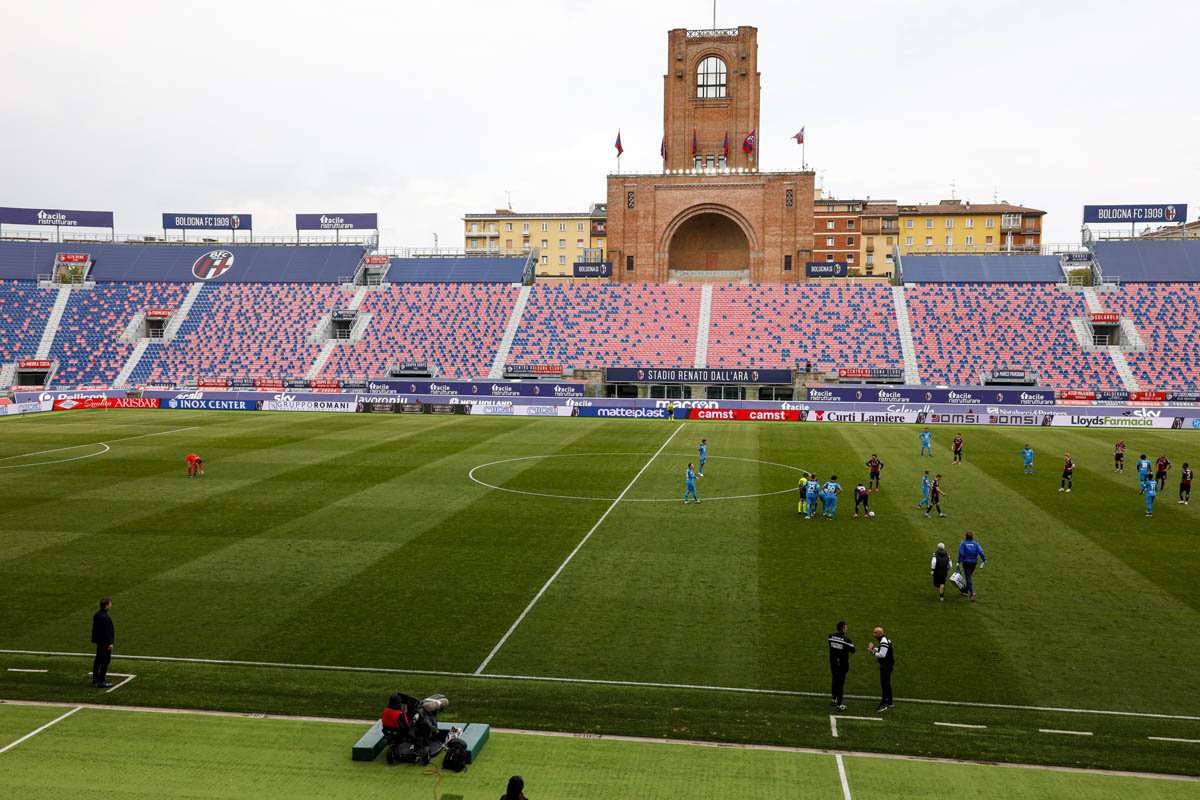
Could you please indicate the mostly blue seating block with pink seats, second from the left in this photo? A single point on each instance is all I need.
(87, 340)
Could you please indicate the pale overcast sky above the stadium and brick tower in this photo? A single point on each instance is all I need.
(424, 112)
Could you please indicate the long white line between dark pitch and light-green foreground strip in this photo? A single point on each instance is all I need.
(647, 741)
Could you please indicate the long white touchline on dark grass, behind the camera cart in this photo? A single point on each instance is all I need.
(599, 682)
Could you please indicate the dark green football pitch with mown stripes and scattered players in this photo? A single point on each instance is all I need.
(545, 575)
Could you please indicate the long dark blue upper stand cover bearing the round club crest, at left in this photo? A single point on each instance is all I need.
(173, 263)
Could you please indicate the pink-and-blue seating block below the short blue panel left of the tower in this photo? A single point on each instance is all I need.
(457, 327)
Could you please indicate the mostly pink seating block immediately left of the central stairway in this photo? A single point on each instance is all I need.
(589, 327)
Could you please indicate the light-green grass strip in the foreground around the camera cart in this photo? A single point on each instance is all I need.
(169, 755)
